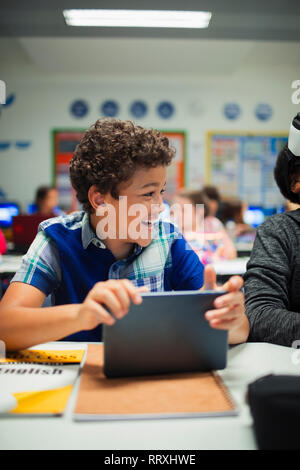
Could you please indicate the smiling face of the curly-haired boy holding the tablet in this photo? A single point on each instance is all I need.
(131, 218)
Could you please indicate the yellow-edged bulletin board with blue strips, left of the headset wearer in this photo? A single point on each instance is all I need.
(242, 164)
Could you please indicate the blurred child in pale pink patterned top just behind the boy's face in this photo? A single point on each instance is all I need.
(204, 232)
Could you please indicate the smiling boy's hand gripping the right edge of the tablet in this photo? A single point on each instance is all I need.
(230, 307)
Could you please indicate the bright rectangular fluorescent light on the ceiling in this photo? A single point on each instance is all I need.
(138, 18)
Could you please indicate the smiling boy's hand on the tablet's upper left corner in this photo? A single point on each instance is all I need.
(113, 295)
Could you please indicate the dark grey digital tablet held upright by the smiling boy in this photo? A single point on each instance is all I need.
(166, 333)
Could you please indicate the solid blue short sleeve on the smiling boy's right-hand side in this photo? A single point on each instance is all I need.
(187, 271)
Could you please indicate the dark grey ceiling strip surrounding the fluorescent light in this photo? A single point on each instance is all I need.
(231, 19)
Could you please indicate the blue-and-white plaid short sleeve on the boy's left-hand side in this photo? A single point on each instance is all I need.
(40, 266)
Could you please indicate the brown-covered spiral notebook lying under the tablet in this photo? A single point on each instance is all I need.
(158, 396)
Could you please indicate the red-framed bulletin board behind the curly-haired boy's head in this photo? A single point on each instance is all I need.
(64, 143)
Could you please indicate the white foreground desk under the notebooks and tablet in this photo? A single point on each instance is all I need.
(246, 362)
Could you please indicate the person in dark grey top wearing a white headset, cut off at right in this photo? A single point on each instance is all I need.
(272, 280)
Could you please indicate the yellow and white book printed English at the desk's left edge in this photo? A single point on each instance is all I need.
(38, 381)
